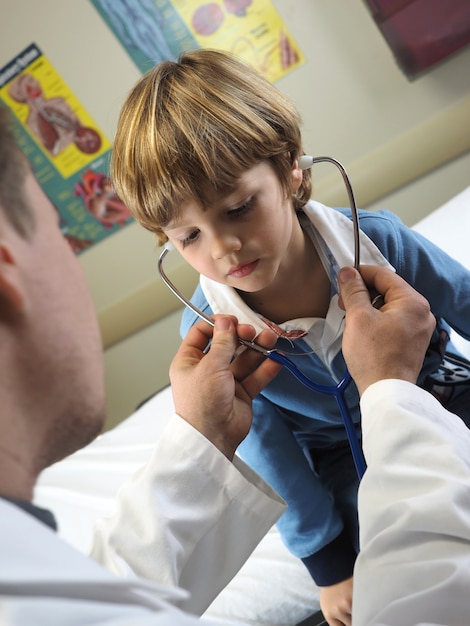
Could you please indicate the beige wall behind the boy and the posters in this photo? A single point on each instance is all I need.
(353, 98)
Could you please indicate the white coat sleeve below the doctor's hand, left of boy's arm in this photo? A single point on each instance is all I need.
(189, 518)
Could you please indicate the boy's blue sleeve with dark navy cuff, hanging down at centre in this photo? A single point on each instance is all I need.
(311, 527)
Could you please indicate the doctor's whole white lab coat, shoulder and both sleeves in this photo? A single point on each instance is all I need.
(193, 525)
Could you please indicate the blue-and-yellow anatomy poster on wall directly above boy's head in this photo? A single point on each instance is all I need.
(154, 30)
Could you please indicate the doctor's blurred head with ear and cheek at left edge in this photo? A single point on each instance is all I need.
(51, 370)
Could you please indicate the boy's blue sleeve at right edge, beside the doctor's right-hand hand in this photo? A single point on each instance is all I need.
(442, 280)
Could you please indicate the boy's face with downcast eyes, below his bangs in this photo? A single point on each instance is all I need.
(244, 239)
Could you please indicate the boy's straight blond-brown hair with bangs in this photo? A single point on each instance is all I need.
(194, 126)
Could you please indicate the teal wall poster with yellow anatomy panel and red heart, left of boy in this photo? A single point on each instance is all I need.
(68, 152)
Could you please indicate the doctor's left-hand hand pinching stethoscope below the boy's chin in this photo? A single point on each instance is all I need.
(211, 390)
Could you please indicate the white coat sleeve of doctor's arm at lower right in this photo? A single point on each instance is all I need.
(414, 511)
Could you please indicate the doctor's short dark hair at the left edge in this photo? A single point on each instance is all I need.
(13, 170)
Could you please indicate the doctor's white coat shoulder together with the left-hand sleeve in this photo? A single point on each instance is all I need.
(189, 519)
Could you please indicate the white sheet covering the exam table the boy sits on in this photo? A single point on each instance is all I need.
(273, 588)
